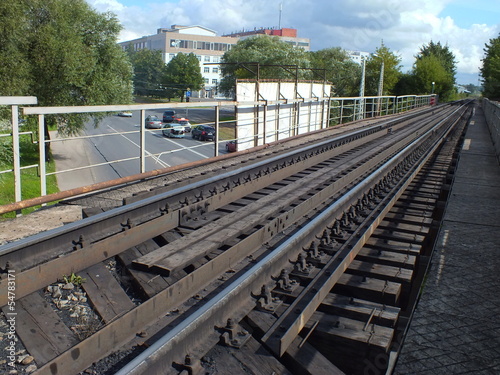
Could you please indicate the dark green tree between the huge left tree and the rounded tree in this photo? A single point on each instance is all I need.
(149, 70)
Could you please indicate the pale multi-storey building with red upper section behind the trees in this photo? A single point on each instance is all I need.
(207, 46)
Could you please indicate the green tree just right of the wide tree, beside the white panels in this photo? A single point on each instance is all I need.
(339, 68)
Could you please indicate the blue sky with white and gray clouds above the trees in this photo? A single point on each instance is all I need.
(404, 26)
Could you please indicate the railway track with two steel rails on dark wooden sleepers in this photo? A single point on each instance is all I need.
(302, 260)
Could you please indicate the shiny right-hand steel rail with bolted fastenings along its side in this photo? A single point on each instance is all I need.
(172, 347)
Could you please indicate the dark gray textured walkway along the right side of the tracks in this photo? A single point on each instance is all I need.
(456, 326)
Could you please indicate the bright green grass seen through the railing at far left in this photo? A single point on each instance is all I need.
(30, 179)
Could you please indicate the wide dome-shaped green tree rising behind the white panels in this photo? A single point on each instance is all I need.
(263, 56)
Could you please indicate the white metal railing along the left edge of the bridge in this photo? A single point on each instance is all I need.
(341, 110)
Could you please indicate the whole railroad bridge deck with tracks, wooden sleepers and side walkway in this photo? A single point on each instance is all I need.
(366, 248)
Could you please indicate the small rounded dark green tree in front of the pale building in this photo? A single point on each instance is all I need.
(183, 73)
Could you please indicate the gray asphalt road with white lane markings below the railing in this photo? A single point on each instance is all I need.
(118, 138)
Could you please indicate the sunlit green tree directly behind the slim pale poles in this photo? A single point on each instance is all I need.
(391, 71)
